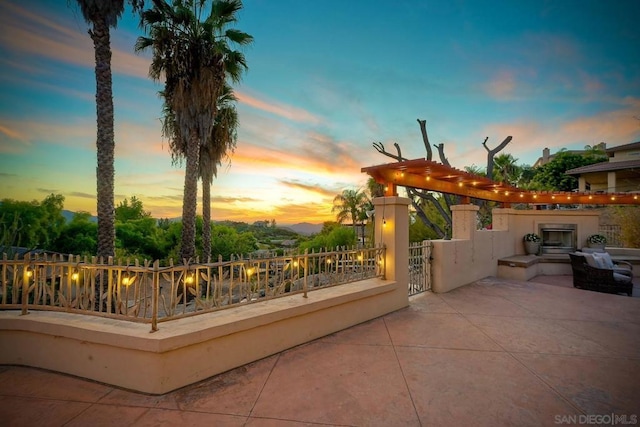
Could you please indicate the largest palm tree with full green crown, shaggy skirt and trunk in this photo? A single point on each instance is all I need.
(194, 56)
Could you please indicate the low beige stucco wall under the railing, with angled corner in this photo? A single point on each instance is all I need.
(185, 351)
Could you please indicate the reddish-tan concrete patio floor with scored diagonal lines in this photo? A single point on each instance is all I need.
(494, 352)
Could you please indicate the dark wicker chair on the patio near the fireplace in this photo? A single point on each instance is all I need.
(598, 279)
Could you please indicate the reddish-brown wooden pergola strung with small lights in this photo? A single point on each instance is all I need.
(434, 176)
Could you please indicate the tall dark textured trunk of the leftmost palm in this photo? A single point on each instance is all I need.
(105, 140)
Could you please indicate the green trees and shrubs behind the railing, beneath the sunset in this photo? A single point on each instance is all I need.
(42, 225)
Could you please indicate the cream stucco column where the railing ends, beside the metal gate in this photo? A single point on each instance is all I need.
(392, 230)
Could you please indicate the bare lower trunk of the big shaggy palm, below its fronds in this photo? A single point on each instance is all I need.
(190, 198)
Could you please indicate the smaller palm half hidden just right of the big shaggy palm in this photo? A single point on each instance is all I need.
(223, 140)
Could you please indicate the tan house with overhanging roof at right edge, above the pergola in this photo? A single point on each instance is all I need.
(620, 174)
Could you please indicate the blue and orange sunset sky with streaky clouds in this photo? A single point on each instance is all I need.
(326, 79)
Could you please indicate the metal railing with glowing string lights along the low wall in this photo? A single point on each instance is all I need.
(149, 293)
